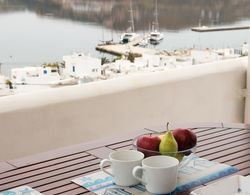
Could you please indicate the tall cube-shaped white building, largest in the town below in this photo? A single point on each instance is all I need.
(82, 66)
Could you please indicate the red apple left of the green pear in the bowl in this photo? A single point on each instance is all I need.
(148, 143)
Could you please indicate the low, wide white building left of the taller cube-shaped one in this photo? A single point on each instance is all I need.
(35, 75)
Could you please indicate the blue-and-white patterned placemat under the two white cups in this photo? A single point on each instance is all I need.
(196, 172)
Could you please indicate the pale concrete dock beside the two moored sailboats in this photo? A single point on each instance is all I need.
(124, 49)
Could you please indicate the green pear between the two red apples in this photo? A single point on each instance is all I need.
(168, 145)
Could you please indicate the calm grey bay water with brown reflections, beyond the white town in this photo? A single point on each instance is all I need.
(37, 32)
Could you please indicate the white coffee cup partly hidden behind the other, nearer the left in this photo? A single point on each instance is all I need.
(122, 163)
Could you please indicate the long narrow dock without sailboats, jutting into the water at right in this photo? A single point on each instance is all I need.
(211, 29)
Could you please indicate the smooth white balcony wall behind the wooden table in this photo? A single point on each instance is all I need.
(41, 121)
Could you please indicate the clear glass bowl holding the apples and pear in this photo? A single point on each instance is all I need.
(180, 155)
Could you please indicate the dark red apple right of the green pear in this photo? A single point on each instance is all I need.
(185, 138)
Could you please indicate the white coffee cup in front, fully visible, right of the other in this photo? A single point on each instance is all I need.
(159, 174)
